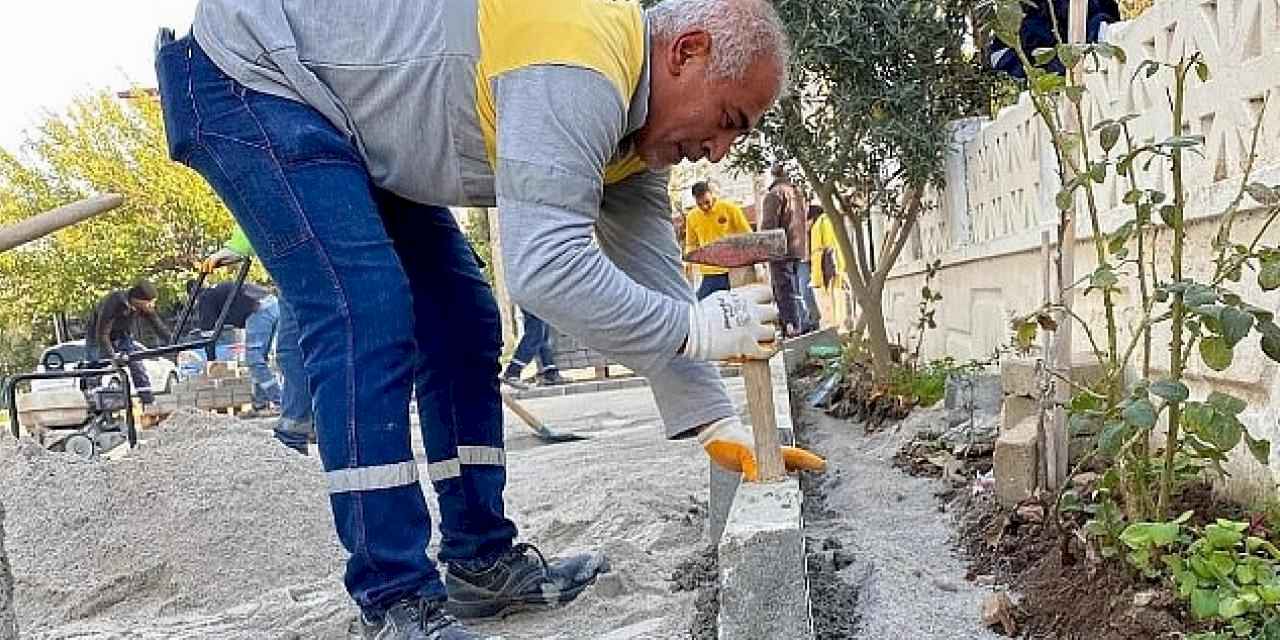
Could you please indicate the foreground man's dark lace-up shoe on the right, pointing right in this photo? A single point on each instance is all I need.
(522, 579)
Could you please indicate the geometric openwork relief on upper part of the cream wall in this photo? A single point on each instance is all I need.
(1007, 170)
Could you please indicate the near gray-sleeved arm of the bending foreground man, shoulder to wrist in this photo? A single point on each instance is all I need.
(557, 129)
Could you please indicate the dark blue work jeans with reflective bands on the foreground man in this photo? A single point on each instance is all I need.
(390, 300)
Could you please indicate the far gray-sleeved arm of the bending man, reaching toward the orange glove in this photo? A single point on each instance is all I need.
(634, 231)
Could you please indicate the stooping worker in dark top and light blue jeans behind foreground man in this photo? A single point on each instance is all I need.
(258, 312)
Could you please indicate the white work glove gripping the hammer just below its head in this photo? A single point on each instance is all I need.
(733, 324)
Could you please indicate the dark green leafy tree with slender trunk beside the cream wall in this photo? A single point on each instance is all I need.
(874, 86)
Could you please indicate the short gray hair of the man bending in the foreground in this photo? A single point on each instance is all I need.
(743, 31)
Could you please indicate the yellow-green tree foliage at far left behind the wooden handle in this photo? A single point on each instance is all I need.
(102, 144)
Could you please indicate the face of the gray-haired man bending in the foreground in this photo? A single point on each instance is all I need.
(692, 117)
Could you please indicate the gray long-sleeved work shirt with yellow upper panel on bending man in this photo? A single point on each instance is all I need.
(483, 103)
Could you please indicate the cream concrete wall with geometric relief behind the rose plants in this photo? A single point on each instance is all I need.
(986, 226)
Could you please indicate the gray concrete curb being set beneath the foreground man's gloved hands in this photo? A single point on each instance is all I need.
(760, 536)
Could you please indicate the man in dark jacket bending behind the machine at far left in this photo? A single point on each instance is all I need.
(112, 328)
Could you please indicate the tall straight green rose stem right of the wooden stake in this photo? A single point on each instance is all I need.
(1177, 363)
